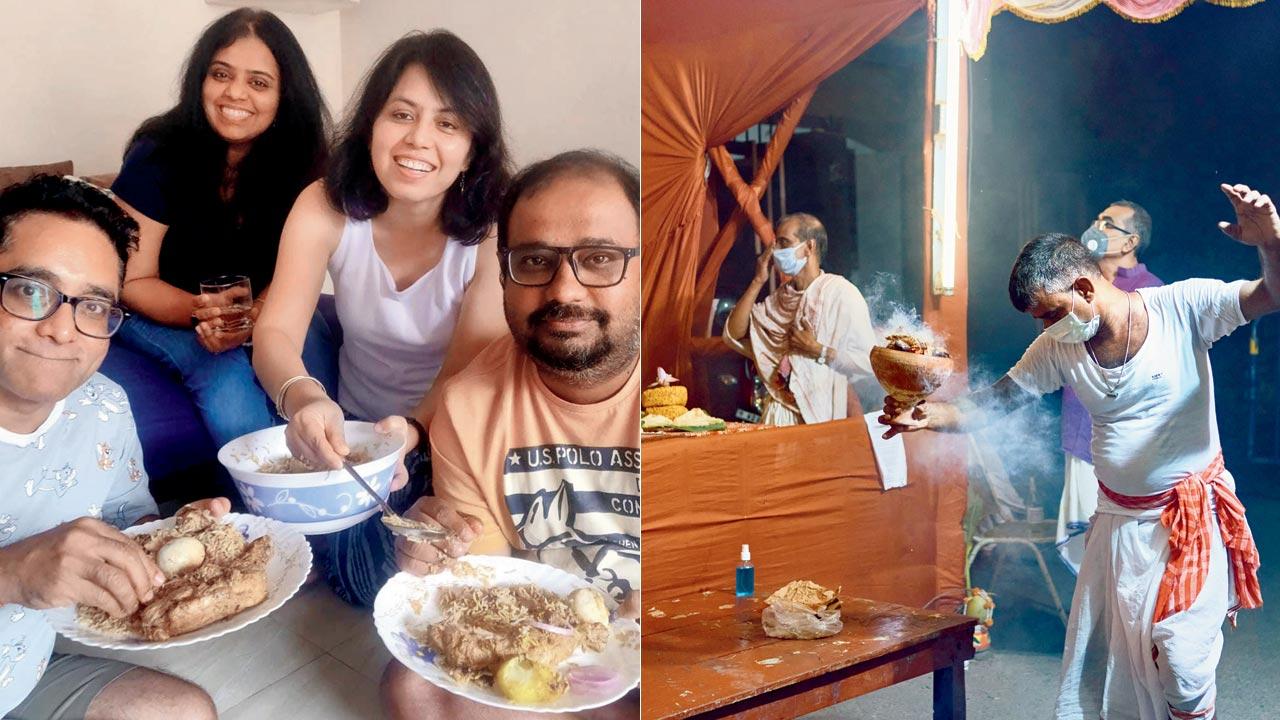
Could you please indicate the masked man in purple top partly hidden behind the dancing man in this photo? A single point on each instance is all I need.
(1114, 240)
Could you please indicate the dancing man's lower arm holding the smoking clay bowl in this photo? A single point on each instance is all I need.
(966, 414)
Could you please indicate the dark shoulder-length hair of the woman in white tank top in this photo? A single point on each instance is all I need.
(464, 83)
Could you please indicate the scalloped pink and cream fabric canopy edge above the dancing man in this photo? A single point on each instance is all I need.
(979, 13)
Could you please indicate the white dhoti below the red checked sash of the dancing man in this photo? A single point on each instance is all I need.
(1108, 666)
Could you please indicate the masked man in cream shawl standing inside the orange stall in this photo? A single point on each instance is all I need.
(812, 338)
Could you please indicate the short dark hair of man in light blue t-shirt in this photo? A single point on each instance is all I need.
(71, 199)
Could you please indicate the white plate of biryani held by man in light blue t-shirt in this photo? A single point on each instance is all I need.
(223, 575)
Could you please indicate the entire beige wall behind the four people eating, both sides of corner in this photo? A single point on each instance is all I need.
(79, 76)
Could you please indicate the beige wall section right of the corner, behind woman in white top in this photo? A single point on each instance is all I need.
(568, 71)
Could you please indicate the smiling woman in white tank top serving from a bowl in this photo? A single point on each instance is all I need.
(403, 222)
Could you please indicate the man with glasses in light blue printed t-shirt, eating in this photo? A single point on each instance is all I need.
(72, 470)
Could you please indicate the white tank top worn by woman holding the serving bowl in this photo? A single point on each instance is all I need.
(394, 341)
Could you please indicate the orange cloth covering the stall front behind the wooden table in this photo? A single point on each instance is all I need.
(810, 502)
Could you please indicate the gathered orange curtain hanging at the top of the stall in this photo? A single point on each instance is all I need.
(711, 70)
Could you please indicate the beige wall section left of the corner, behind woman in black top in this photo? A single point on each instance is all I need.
(77, 78)
